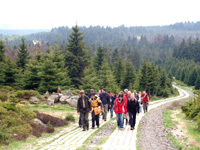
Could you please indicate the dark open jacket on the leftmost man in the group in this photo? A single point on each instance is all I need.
(80, 105)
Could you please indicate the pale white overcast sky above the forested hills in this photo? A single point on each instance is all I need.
(45, 14)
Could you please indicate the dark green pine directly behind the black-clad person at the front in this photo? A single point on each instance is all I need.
(129, 76)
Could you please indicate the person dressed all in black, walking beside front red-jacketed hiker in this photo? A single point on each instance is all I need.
(133, 109)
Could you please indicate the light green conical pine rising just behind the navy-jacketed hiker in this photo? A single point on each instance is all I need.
(106, 78)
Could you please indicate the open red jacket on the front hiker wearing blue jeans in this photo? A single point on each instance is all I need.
(120, 107)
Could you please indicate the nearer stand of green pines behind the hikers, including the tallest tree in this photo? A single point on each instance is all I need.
(73, 66)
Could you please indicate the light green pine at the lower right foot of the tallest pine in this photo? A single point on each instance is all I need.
(90, 79)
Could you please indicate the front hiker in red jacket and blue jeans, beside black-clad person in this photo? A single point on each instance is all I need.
(120, 109)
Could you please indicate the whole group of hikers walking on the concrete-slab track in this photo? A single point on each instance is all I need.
(126, 106)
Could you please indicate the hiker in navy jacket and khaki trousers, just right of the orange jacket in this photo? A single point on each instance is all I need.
(105, 98)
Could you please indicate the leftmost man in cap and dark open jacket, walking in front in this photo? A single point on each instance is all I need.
(83, 109)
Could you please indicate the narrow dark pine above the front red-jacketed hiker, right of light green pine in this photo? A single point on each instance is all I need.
(118, 70)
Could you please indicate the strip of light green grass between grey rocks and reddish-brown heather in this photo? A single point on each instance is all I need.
(42, 107)
